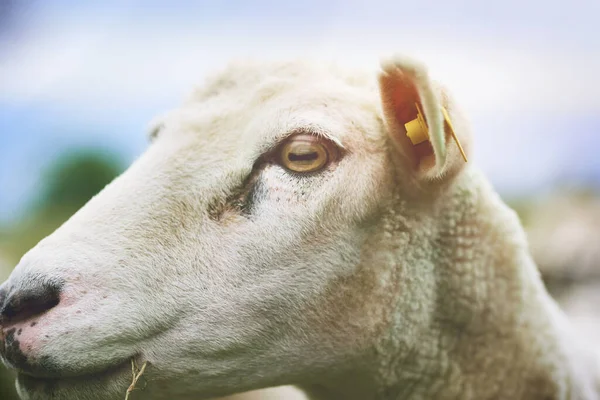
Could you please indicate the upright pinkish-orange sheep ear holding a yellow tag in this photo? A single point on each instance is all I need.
(417, 120)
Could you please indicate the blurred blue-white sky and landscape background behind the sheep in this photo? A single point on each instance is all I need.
(79, 81)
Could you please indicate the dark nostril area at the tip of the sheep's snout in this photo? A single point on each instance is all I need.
(31, 301)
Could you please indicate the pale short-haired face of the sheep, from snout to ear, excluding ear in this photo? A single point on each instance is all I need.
(244, 249)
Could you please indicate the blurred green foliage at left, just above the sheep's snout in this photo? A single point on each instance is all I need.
(68, 183)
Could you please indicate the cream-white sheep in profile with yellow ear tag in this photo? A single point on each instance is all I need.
(284, 229)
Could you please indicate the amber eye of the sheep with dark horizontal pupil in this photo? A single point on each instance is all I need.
(304, 153)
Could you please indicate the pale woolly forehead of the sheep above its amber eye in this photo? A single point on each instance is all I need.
(249, 107)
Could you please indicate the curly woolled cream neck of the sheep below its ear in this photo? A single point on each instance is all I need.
(479, 324)
